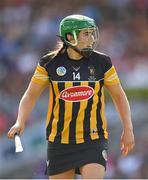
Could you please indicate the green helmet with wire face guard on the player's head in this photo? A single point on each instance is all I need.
(73, 25)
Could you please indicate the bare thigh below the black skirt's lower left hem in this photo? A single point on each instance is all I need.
(64, 175)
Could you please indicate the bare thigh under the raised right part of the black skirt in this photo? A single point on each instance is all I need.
(92, 171)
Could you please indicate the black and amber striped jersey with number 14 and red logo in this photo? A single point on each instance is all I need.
(76, 111)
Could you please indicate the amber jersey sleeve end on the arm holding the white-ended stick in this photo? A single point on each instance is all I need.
(40, 76)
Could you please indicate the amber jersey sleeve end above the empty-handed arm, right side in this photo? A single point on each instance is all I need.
(111, 77)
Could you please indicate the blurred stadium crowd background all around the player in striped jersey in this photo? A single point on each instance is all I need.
(28, 30)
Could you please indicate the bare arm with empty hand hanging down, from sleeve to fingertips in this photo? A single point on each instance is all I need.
(122, 106)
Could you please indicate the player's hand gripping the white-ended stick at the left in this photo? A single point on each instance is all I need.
(16, 128)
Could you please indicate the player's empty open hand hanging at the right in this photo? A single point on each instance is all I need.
(127, 141)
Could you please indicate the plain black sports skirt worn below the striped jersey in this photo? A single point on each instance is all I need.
(63, 157)
